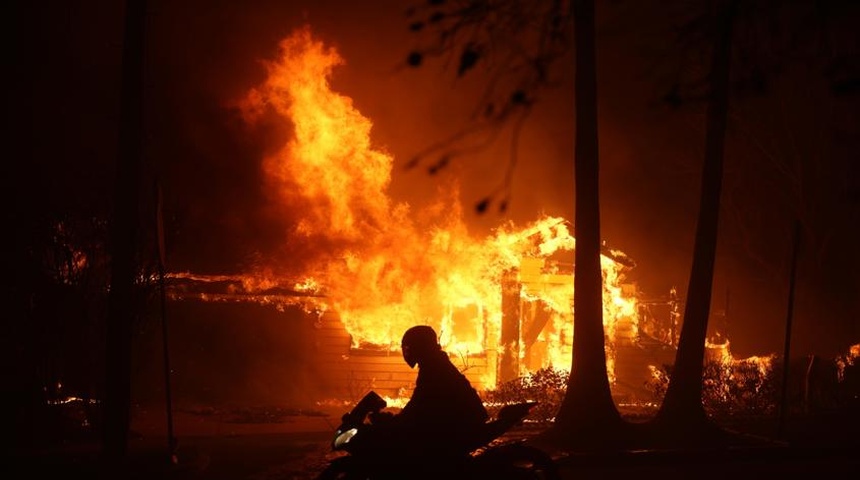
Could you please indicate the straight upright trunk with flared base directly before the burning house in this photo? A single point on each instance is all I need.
(587, 417)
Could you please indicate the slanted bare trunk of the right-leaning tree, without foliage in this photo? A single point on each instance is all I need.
(682, 412)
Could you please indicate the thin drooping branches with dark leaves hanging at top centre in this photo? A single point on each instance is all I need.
(516, 43)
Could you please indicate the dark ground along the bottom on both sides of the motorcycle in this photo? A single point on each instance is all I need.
(298, 448)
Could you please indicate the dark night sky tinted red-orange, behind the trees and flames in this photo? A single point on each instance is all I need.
(202, 57)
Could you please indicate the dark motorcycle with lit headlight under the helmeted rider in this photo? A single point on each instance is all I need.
(488, 457)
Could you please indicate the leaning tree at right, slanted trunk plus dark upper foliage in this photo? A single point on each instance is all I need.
(735, 29)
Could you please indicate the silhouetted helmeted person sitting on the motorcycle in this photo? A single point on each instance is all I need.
(445, 418)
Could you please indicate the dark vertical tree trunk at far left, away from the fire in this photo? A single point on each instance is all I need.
(124, 240)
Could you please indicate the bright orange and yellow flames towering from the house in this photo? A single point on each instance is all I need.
(383, 266)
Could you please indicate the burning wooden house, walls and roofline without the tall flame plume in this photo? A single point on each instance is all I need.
(527, 326)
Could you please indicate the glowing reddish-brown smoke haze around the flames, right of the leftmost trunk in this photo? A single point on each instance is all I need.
(650, 154)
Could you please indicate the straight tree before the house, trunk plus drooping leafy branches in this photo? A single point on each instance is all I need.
(588, 417)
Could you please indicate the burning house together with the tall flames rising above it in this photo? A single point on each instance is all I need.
(369, 268)
